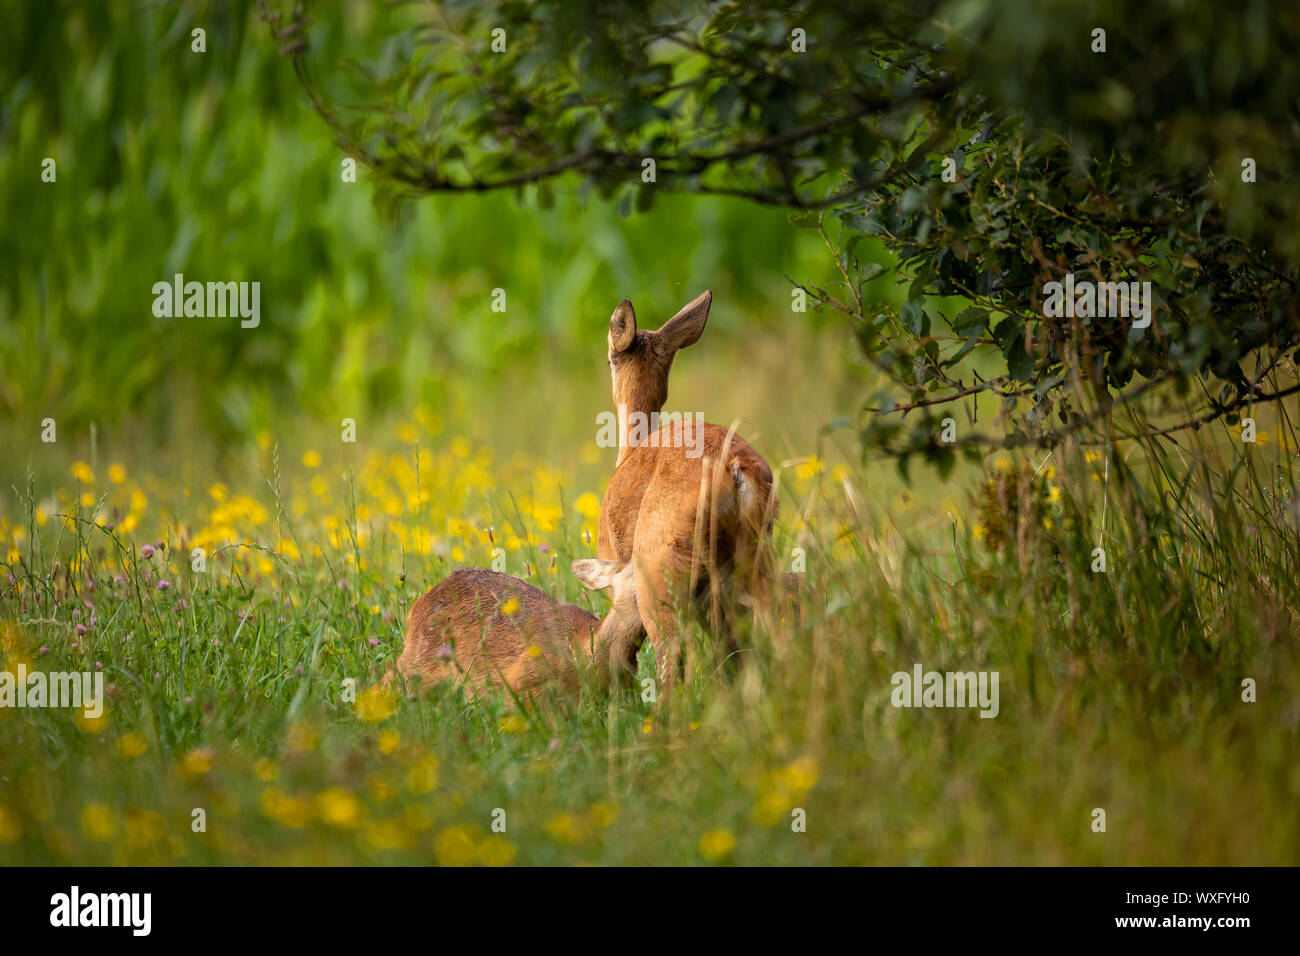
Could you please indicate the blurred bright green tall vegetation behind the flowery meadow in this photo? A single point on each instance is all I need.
(214, 166)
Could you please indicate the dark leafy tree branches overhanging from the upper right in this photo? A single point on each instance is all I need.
(1113, 158)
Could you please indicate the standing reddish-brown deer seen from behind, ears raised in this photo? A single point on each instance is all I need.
(692, 522)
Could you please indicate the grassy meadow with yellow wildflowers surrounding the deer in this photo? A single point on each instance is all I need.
(1120, 691)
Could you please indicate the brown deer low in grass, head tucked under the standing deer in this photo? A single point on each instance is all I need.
(488, 630)
